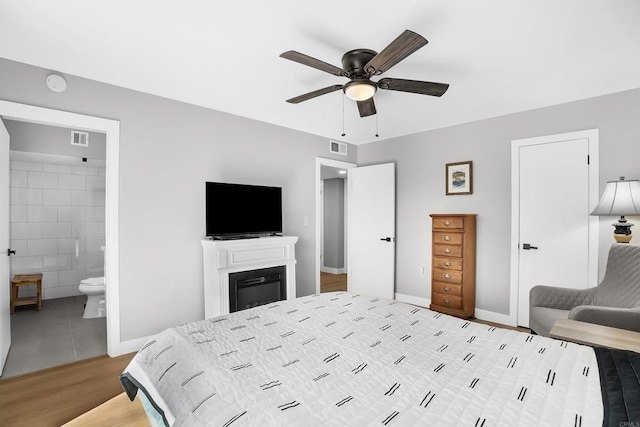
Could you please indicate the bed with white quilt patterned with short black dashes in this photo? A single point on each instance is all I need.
(343, 359)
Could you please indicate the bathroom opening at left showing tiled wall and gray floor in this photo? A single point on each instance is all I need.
(57, 227)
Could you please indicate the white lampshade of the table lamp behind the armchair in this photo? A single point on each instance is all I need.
(619, 198)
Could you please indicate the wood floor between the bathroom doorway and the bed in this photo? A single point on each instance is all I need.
(54, 396)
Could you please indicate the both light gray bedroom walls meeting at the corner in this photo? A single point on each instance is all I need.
(168, 149)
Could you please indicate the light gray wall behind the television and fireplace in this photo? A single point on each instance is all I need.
(168, 149)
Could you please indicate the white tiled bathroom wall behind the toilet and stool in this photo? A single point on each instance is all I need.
(57, 208)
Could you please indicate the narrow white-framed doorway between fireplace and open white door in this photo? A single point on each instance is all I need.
(331, 241)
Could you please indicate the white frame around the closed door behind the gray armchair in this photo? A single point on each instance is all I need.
(593, 136)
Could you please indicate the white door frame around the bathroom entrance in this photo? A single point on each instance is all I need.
(50, 117)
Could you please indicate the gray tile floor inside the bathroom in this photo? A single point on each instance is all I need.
(54, 336)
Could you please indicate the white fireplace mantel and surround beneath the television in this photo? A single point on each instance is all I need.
(221, 257)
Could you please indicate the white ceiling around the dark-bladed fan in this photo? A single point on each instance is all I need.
(499, 56)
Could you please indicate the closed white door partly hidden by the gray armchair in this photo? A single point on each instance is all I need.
(554, 203)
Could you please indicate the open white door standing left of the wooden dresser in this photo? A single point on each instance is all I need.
(371, 230)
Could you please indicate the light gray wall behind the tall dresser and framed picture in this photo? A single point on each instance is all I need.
(421, 159)
